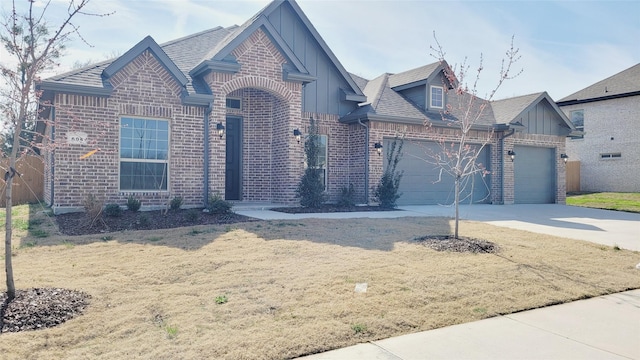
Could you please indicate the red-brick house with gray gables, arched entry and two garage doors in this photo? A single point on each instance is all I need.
(217, 112)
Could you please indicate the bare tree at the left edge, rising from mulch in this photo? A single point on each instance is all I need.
(33, 46)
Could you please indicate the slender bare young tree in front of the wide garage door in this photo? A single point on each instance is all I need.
(458, 158)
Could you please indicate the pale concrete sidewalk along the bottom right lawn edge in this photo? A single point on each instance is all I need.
(604, 327)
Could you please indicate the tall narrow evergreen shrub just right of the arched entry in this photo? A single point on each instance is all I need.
(310, 189)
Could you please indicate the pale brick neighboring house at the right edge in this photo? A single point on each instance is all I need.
(609, 114)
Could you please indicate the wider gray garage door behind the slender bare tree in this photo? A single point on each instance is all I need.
(419, 184)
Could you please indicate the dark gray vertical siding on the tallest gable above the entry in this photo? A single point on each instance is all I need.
(322, 95)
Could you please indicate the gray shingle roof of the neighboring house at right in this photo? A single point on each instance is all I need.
(626, 81)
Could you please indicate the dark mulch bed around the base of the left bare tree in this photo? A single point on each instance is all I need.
(40, 308)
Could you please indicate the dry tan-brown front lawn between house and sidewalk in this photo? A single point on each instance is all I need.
(289, 286)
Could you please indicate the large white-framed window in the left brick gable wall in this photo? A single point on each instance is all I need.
(144, 154)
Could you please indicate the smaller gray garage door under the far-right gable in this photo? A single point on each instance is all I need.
(535, 175)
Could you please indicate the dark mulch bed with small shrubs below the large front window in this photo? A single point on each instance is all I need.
(80, 224)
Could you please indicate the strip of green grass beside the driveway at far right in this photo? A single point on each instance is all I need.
(629, 202)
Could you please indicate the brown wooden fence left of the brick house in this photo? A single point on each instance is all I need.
(27, 188)
